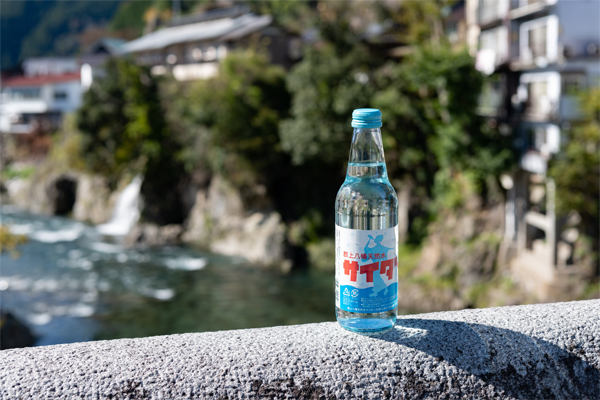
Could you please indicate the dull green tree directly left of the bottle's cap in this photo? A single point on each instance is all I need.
(325, 93)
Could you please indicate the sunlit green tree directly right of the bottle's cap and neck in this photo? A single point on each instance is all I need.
(430, 126)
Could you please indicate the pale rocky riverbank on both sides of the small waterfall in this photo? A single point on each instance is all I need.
(218, 221)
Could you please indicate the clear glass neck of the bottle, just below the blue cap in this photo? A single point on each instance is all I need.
(366, 154)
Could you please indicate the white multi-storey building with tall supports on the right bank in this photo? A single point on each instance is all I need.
(538, 53)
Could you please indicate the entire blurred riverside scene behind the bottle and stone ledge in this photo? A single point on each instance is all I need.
(171, 166)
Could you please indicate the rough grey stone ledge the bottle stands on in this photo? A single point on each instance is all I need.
(524, 352)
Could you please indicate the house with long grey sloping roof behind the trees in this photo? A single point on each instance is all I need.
(192, 46)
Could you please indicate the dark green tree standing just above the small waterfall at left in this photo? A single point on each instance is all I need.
(124, 132)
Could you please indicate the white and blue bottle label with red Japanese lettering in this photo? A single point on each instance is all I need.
(366, 269)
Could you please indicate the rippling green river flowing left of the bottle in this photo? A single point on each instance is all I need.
(71, 283)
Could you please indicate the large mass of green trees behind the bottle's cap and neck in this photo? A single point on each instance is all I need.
(432, 137)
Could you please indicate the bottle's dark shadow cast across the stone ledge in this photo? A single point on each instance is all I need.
(521, 366)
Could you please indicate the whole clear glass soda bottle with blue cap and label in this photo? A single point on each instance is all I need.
(366, 270)
